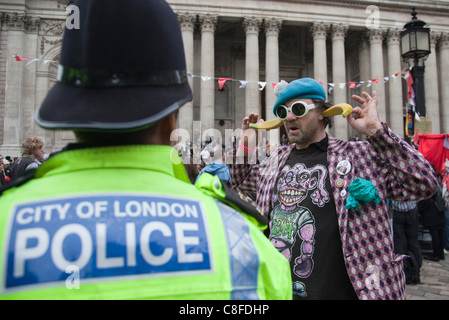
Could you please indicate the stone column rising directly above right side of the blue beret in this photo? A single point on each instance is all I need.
(319, 31)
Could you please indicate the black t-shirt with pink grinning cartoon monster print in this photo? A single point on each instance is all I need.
(304, 227)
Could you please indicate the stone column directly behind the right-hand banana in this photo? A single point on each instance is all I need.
(340, 125)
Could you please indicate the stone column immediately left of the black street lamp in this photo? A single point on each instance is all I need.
(395, 112)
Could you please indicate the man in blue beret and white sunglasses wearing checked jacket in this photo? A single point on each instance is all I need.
(326, 198)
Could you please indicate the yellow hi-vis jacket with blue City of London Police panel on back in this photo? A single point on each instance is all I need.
(125, 223)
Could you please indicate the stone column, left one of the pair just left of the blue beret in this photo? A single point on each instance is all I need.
(252, 99)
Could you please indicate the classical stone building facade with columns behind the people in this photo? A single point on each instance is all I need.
(236, 50)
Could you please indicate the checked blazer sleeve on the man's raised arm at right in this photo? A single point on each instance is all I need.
(409, 175)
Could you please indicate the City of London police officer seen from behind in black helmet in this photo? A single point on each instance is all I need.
(114, 215)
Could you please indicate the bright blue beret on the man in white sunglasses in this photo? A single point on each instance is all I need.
(305, 88)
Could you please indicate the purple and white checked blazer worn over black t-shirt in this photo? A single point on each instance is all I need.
(397, 170)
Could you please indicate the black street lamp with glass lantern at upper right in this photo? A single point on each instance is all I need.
(415, 45)
